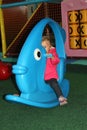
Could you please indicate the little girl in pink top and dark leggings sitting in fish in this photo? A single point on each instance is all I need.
(51, 75)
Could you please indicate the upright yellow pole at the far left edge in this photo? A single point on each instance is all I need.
(2, 29)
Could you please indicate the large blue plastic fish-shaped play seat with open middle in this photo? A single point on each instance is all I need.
(29, 70)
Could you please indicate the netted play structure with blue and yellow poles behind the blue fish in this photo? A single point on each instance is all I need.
(29, 15)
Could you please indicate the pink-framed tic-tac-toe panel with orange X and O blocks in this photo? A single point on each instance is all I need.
(74, 21)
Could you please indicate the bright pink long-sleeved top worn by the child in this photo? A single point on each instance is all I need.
(51, 65)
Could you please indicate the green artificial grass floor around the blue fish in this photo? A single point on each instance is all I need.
(73, 116)
